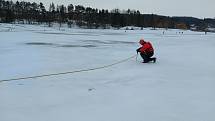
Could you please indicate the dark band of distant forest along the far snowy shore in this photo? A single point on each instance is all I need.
(34, 13)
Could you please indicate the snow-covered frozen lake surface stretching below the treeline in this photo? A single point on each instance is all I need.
(179, 87)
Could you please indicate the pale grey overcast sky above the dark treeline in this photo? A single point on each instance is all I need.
(195, 8)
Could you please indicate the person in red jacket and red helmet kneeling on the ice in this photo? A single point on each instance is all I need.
(146, 51)
